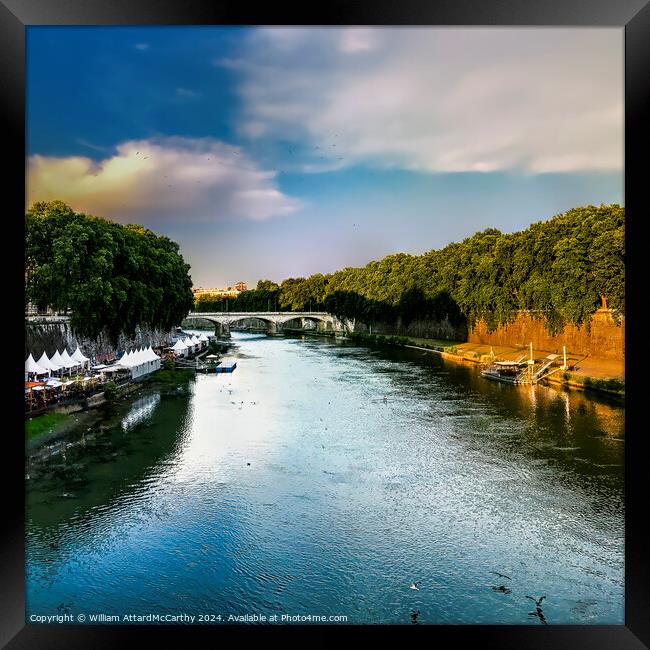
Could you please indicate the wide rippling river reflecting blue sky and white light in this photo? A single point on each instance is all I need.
(291, 486)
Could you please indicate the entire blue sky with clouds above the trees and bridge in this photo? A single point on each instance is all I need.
(278, 152)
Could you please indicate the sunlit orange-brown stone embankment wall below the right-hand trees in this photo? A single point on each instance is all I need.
(606, 338)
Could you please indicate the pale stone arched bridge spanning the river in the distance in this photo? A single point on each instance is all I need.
(276, 320)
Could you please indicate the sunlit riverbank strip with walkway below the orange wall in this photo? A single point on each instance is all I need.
(585, 373)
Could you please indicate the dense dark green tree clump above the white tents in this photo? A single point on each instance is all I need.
(113, 278)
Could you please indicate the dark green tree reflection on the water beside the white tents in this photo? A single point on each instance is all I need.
(101, 469)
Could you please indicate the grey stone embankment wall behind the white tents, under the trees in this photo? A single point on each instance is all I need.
(50, 337)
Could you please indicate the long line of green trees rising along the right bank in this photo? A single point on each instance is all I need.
(561, 270)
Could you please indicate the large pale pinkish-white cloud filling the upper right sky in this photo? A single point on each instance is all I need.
(440, 99)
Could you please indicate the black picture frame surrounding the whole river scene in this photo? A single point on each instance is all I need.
(631, 15)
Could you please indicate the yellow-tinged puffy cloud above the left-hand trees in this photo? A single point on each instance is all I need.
(162, 180)
